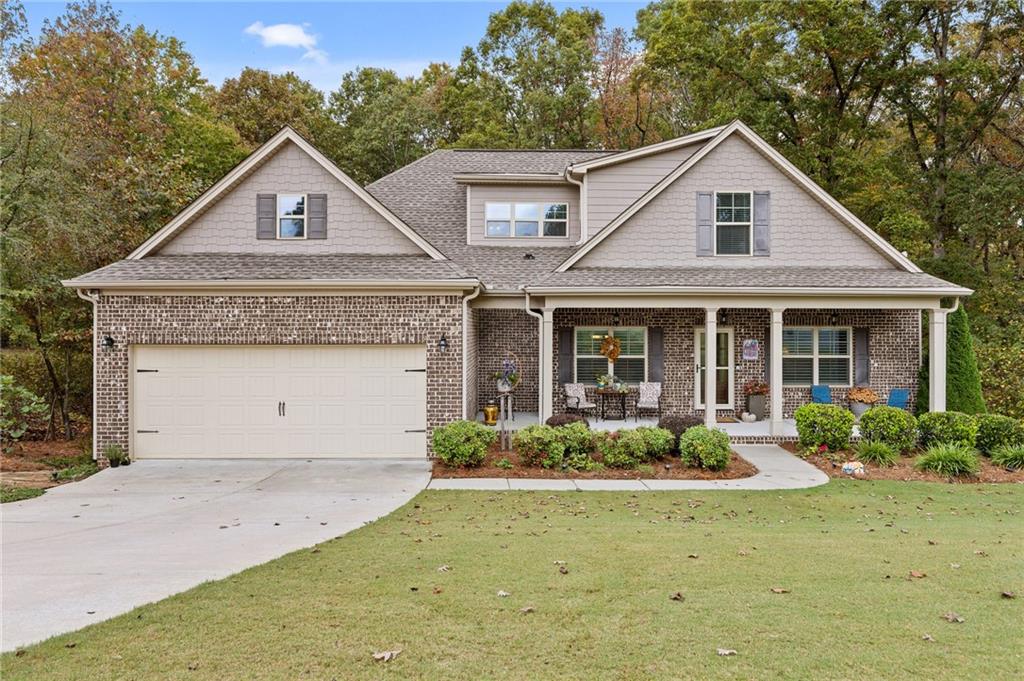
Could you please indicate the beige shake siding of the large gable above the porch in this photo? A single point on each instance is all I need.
(663, 234)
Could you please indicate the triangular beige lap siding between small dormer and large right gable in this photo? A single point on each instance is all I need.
(613, 190)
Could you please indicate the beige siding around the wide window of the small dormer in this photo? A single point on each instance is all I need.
(482, 194)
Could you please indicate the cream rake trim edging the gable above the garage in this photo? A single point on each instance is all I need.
(286, 135)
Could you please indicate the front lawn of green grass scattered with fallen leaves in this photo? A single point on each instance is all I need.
(844, 551)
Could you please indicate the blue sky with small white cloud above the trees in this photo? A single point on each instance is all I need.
(321, 41)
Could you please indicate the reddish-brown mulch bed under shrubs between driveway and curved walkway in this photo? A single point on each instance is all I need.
(665, 470)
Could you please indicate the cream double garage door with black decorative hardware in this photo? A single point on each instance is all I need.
(223, 402)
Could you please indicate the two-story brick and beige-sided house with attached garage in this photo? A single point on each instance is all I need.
(290, 313)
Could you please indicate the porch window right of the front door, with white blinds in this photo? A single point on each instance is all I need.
(818, 357)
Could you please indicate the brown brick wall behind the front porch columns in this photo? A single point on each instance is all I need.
(893, 351)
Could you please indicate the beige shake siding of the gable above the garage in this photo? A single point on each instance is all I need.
(230, 226)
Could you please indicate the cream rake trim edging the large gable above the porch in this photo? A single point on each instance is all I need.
(770, 152)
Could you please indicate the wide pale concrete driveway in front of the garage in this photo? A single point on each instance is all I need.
(86, 552)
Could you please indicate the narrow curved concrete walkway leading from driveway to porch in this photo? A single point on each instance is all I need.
(778, 470)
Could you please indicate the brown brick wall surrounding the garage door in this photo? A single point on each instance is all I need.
(276, 321)
